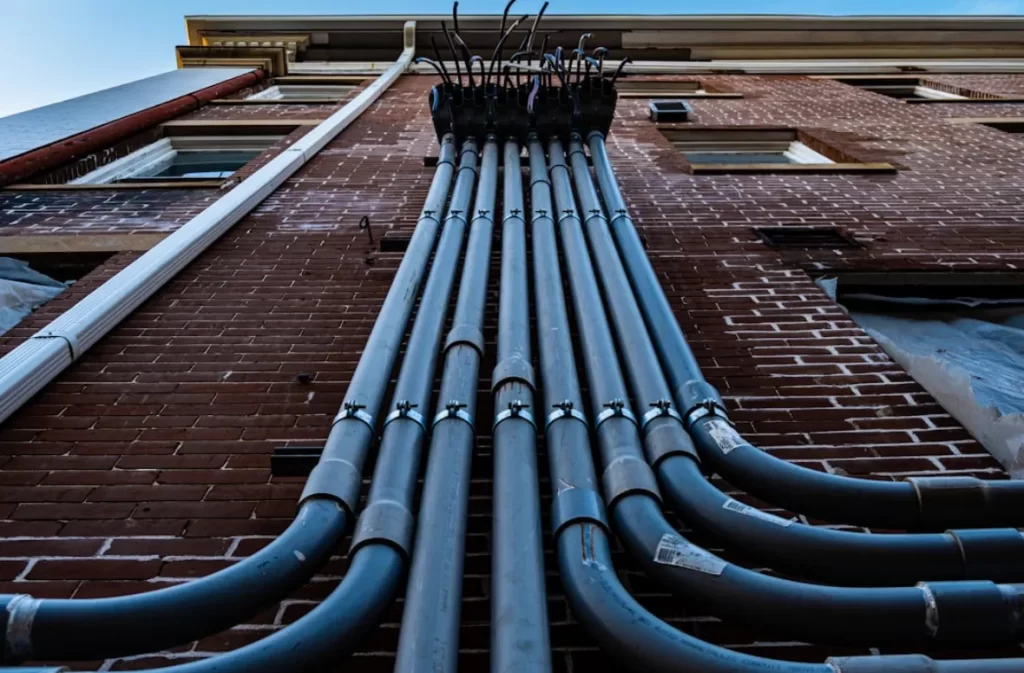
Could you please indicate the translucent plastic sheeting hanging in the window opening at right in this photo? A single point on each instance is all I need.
(968, 353)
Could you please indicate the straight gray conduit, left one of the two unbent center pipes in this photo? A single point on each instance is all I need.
(430, 639)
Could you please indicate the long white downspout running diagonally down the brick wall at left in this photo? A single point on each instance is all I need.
(27, 369)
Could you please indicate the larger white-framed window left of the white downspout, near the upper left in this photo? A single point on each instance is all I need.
(183, 159)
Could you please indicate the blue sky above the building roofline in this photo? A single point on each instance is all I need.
(57, 50)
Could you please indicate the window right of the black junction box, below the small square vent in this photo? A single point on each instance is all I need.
(758, 151)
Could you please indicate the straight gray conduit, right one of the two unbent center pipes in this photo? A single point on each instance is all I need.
(520, 642)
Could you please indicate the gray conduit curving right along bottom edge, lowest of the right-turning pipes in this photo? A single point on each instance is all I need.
(641, 641)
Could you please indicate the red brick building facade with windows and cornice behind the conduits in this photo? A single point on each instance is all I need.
(823, 174)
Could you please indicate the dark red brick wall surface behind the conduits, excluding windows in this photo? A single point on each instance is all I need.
(148, 464)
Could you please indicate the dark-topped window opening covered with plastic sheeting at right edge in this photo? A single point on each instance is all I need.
(961, 336)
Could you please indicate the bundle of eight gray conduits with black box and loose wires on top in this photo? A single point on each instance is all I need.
(650, 418)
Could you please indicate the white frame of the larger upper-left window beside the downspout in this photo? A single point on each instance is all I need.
(157, 156)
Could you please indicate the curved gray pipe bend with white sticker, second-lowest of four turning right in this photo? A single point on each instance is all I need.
(951, 613)
